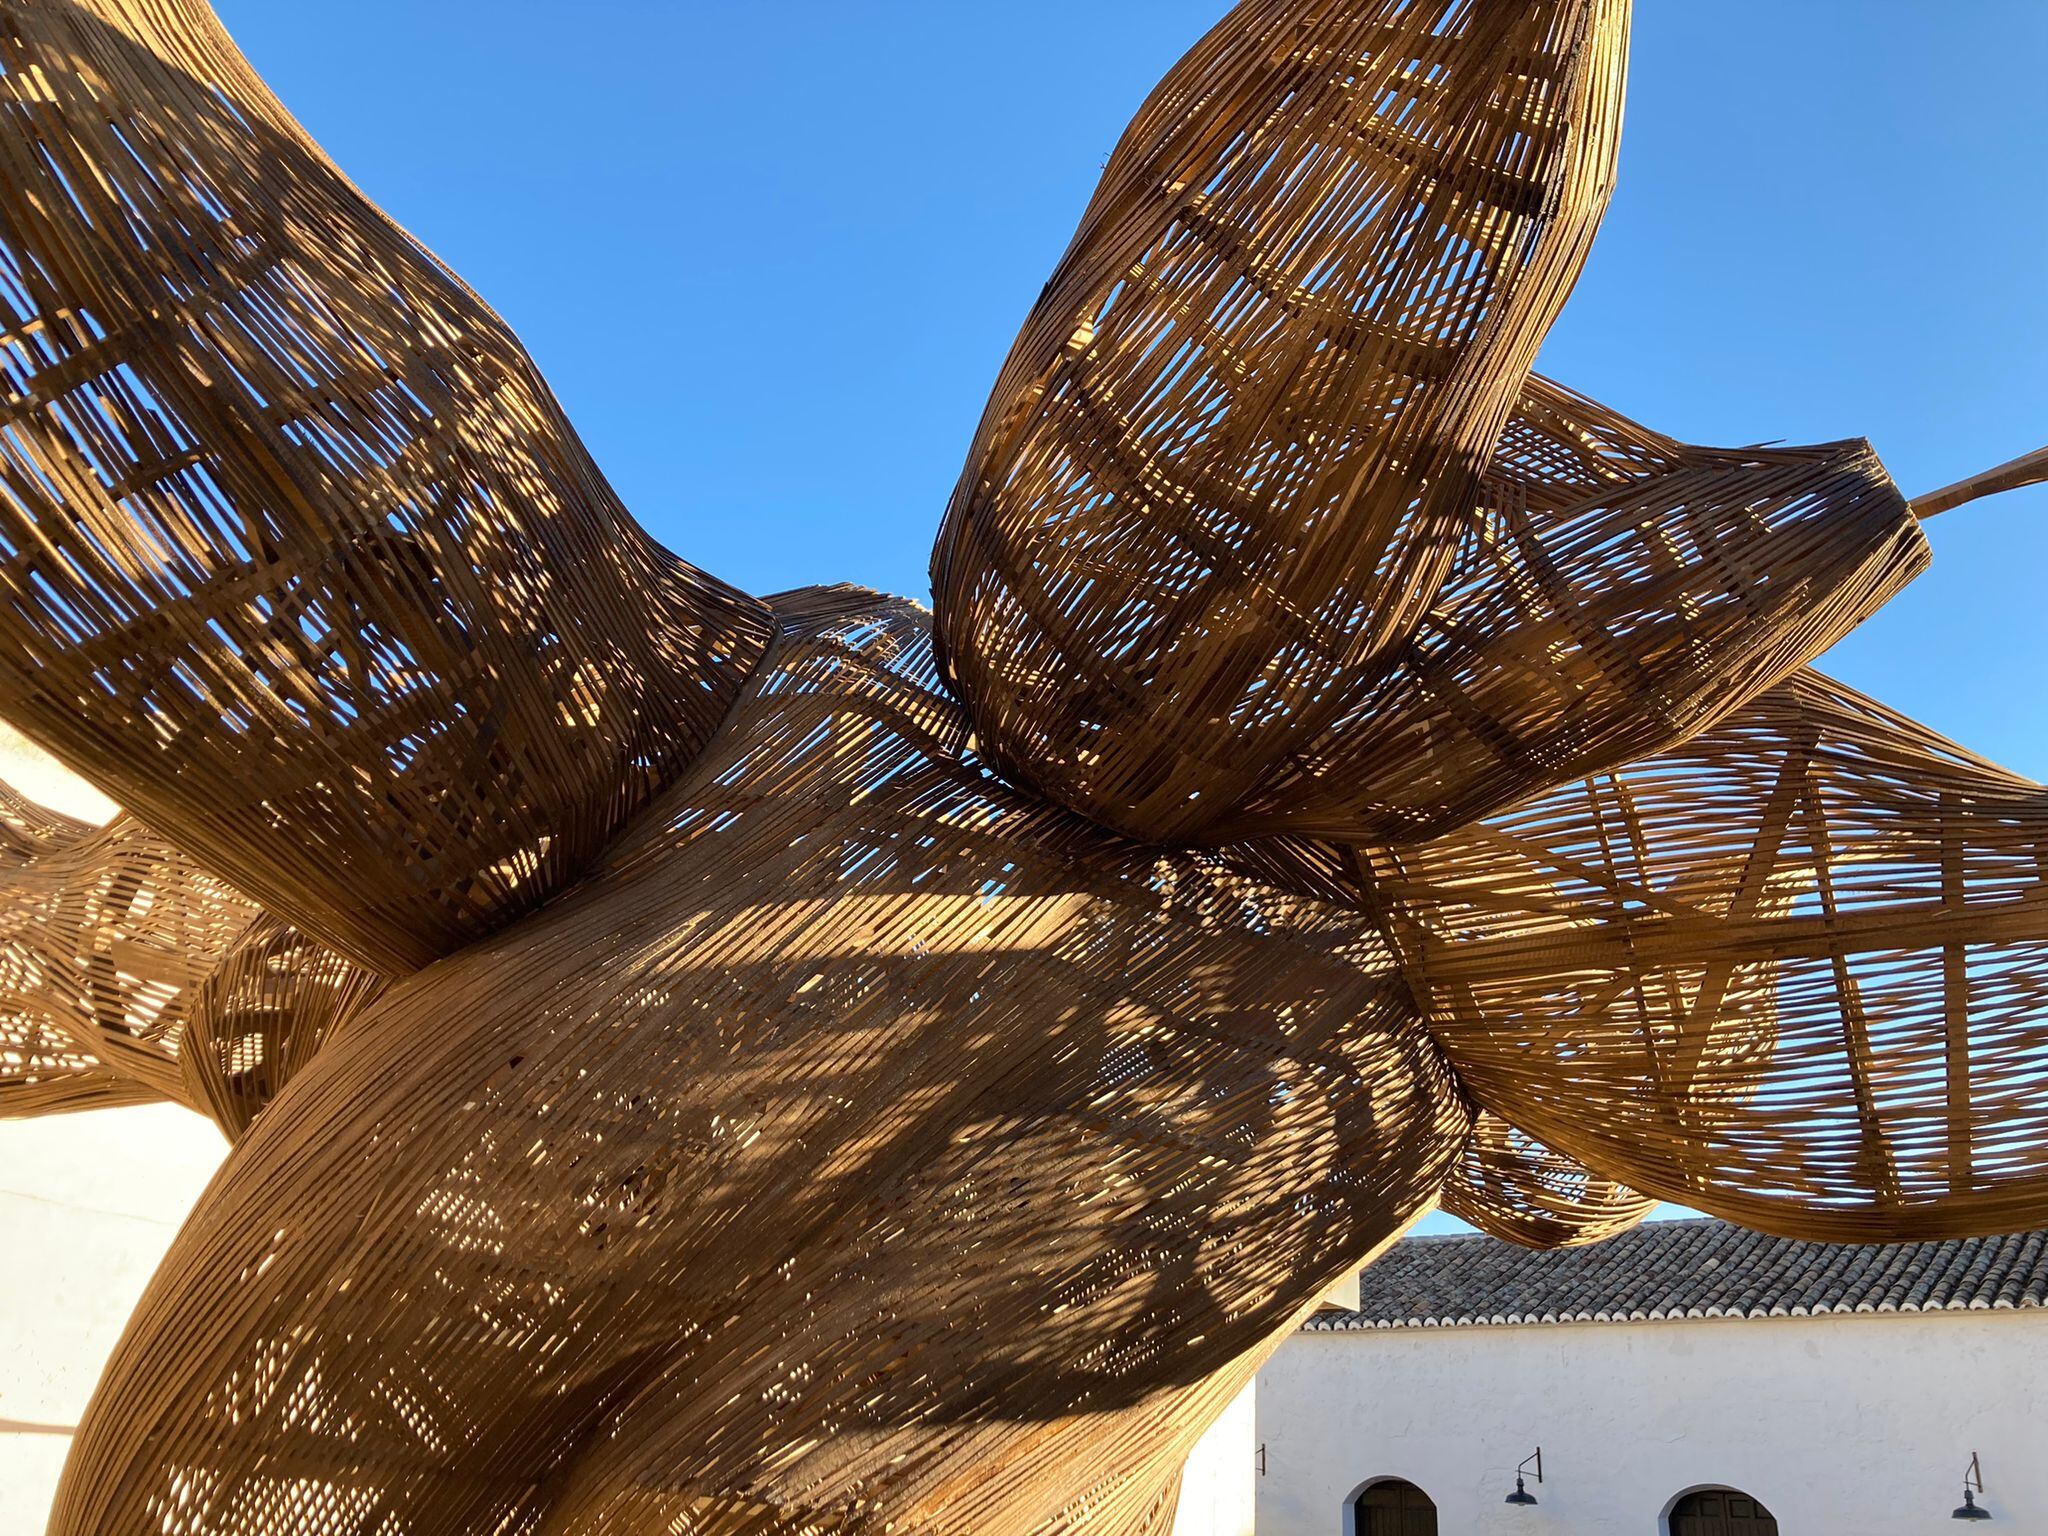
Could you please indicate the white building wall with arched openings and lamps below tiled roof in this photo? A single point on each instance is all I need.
(1842, 1426)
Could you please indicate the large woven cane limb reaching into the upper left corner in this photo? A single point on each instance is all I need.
(298, 556)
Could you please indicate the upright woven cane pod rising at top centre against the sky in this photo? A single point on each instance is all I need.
(1226, 464)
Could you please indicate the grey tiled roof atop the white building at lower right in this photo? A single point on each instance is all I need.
(1689, 1269)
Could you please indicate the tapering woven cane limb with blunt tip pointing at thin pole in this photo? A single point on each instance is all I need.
(1615, 595)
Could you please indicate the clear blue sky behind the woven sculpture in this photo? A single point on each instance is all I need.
(771, 257)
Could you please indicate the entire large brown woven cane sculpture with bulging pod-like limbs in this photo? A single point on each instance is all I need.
(724, 1066)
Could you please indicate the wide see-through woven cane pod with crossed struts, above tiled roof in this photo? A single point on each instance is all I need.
(1818, 1009)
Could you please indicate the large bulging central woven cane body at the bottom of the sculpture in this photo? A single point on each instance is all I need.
(857, 1136)
